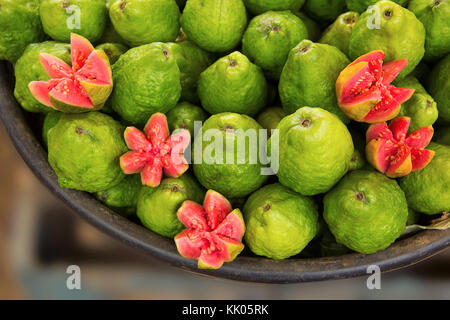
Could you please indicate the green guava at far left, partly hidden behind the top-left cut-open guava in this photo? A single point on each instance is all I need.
(29, 68)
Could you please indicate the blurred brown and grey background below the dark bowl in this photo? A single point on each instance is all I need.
(40, 237)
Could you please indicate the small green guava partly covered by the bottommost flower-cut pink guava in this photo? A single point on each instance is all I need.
(157, 207)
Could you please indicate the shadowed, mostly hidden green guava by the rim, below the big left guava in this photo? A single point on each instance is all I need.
(122, 197)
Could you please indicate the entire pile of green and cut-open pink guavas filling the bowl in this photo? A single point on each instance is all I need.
(296, 128)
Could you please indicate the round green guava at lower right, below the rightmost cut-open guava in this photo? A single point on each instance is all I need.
(366, 211)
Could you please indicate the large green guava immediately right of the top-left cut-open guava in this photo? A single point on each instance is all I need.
(146, 81)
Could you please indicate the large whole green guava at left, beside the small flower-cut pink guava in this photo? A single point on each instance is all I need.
(84, 151)
